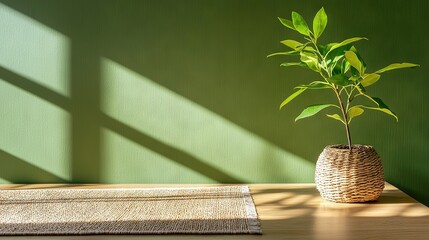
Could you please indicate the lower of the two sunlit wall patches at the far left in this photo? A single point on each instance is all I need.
(35, 131)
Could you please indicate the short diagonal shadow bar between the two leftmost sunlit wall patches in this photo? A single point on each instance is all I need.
(35, 88)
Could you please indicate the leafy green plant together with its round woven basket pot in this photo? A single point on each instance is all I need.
(344, 172)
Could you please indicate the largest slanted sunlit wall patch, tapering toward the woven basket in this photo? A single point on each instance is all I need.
(181, 124)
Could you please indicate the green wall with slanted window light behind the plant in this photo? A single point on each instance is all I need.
(182, 91)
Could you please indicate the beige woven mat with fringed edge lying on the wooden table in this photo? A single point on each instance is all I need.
(203, 210)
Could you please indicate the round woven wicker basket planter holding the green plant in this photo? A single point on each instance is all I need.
(349, 176)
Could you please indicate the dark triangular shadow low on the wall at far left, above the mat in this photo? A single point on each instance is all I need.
(13, 168)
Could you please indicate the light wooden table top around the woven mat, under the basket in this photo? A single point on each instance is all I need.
(296, 211)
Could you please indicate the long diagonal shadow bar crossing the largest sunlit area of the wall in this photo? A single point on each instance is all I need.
(168, 151)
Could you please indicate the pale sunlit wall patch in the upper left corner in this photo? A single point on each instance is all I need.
(34, 51)
